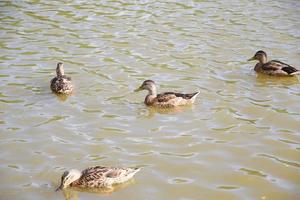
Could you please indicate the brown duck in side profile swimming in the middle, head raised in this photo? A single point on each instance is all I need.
(166, 99)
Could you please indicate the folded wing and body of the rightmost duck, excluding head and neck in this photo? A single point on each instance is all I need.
(275, 65)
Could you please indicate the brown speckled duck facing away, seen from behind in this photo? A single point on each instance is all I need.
(61, 84)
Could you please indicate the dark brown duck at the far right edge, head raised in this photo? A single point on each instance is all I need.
(273, 67)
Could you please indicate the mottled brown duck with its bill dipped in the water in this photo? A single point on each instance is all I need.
(96, 177)
